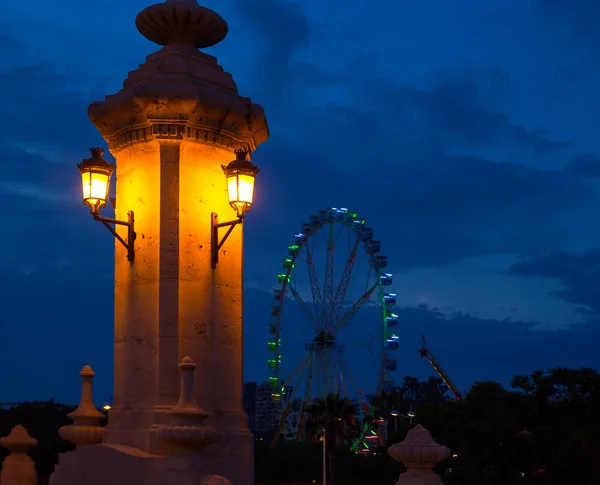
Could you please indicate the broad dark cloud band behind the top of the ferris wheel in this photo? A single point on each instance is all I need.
(430, 211)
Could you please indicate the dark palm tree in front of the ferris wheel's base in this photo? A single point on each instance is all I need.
(332, 416)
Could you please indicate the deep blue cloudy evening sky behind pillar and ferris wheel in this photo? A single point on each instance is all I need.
(464, 131)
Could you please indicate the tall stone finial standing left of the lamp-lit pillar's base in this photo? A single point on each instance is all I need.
(86, 428)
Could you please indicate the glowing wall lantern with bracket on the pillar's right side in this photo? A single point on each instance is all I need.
(240, 175)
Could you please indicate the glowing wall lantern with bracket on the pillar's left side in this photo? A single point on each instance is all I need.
(95, 183)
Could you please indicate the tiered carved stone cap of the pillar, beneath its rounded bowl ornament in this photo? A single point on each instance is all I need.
(180, 92)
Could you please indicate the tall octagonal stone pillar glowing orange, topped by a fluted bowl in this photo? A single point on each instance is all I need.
(178, 118)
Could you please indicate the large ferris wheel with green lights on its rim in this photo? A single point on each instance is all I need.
(334, 325)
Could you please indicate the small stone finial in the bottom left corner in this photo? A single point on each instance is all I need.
(18, 467)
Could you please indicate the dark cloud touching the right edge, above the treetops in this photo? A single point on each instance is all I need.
(578, 274)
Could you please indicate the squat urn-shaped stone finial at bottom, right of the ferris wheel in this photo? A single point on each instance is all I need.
(419, 453)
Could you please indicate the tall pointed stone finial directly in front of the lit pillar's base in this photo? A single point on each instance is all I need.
(186, 430)
